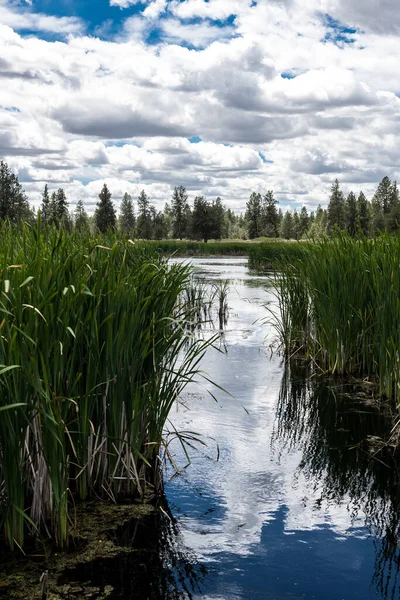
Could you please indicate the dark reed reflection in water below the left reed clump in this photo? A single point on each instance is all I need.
(160, 568)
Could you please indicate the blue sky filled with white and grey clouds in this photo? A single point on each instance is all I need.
(224, 97)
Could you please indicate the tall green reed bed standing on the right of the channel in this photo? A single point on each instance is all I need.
(339, 305)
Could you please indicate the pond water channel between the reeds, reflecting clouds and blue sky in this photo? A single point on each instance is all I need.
(293, 496)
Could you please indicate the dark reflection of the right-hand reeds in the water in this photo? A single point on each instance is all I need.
(341, 433)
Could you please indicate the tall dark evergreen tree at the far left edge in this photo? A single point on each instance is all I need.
(14, 206)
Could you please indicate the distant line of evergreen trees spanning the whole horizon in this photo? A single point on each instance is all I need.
(205, 219)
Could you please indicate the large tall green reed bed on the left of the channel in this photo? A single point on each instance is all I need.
(93, 353)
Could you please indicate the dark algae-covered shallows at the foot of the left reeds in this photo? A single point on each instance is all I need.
(118, 552)
